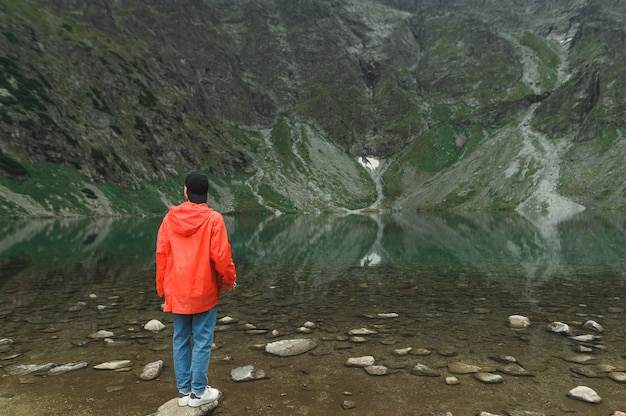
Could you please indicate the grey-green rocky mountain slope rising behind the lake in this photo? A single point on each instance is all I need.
(466, 104)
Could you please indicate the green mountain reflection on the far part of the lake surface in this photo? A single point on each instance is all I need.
(317, 248)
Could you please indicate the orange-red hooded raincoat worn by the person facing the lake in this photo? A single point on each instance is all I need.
(193, 259)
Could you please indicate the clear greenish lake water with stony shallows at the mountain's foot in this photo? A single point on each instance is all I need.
(452, 280)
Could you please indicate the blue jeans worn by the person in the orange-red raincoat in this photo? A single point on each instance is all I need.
(192, 364)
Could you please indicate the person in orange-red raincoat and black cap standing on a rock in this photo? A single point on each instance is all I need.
(193, 263)
